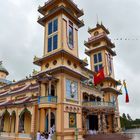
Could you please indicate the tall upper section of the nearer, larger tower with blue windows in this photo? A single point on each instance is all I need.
(61, 22)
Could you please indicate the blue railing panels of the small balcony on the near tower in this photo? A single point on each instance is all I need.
(47, 99)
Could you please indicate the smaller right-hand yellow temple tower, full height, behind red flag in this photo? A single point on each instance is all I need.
(101, 53)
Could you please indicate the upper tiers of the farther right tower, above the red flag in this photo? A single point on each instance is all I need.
(100, 50)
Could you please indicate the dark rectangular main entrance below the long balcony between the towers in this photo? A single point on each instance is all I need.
(92, 122)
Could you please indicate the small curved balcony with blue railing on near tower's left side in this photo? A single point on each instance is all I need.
(47, 101)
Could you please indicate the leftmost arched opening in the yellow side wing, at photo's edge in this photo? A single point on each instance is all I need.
(6, 122)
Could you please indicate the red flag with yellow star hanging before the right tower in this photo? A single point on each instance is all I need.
(99, 77)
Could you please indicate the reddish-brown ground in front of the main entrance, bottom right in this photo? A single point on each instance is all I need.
(107, 137)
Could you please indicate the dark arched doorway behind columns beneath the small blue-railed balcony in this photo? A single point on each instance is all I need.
(52, 123)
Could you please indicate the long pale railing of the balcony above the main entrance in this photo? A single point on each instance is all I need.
(98, 104)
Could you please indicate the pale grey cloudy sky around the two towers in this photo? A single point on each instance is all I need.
(21, 37)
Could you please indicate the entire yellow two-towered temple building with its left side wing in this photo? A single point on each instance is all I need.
(62, 93)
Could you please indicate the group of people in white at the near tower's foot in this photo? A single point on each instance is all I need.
(46, 135)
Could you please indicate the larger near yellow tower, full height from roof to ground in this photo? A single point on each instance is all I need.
(61, 69)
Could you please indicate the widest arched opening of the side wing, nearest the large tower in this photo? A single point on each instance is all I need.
(25, 122)
